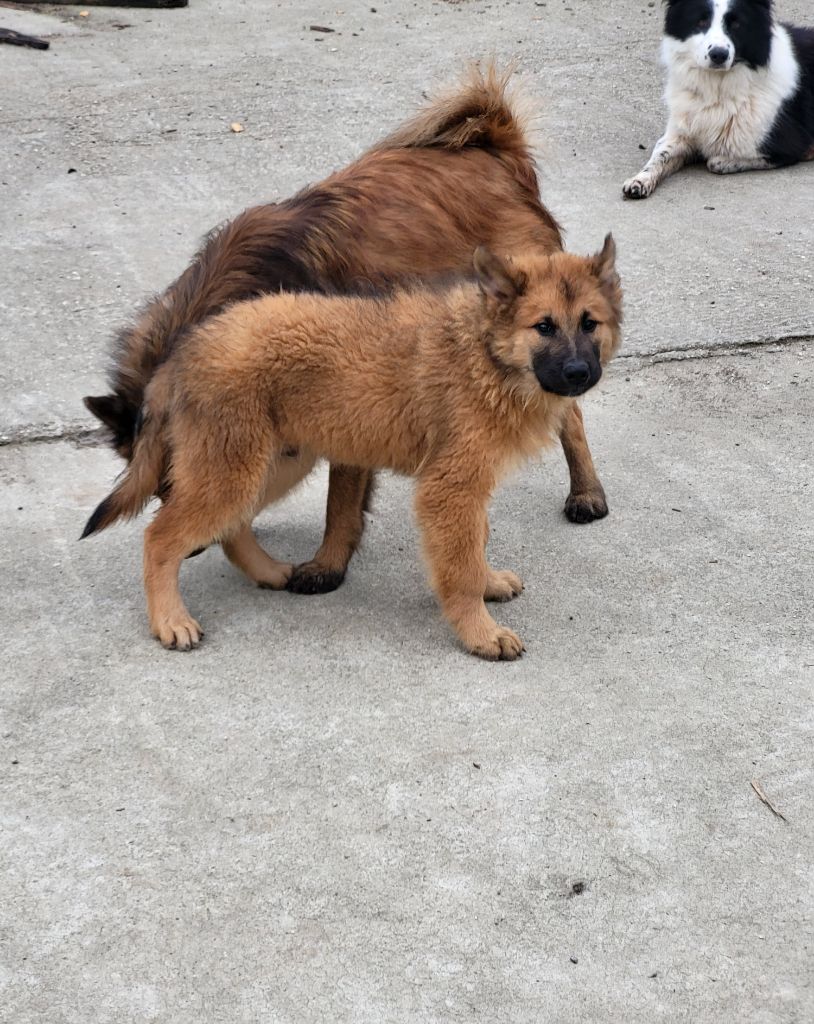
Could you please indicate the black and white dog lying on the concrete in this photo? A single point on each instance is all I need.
(741, 92)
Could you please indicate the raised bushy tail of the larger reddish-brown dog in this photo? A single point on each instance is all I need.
(480, 113)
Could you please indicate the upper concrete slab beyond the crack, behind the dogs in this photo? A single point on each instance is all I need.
(143, 115)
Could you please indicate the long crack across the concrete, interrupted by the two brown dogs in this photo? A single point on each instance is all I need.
(81, 434)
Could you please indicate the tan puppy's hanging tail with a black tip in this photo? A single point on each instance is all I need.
(141, 482)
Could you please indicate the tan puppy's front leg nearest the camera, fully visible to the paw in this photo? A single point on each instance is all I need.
(454, 525)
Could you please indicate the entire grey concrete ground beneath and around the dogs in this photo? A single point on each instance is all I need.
(329, 813)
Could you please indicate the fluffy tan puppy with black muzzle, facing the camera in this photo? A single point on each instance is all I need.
(451, 387)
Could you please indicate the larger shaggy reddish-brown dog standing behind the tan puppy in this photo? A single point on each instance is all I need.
(418, 204)
